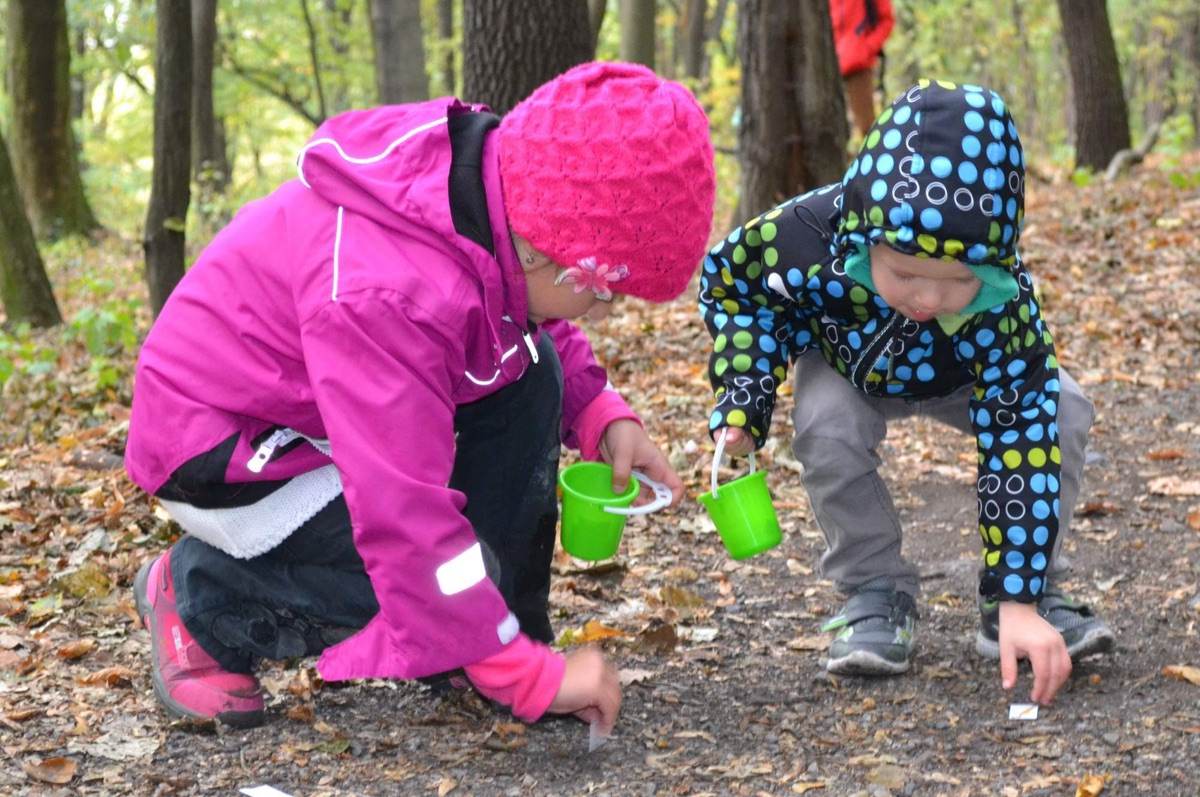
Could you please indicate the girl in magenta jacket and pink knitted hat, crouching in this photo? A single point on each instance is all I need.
(353, 404)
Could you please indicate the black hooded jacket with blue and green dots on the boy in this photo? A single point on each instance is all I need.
(940, 176)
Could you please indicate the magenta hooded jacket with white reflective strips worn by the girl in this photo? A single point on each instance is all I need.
(347, 307)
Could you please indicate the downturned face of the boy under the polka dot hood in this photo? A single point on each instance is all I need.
(922, 289)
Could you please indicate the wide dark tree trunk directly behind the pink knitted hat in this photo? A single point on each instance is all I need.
(509, 50)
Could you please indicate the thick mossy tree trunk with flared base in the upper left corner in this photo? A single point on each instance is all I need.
(44, 153)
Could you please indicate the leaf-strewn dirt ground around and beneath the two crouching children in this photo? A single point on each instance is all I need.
(727, 694)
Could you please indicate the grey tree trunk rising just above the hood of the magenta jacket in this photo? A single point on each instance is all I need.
(399, 51)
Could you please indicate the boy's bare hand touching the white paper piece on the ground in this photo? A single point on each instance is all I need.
(1027, 636)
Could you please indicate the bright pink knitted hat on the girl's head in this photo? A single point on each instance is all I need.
(611, 166)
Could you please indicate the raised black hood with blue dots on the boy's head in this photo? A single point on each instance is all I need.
(941, 173)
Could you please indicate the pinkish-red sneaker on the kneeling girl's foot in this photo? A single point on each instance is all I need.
(189, 681)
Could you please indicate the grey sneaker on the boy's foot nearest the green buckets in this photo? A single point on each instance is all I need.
(875, 632)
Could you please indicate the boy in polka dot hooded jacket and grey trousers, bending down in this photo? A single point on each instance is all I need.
(898, 292)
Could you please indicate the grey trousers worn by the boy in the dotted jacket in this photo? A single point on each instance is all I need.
(838, 432)
